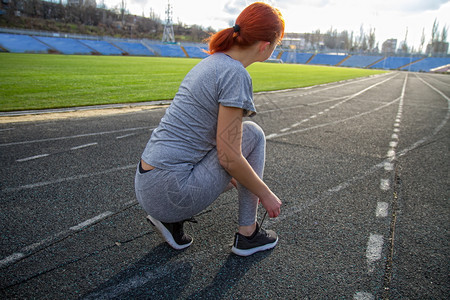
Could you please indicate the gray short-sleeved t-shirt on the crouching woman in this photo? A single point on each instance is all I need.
(187, 132)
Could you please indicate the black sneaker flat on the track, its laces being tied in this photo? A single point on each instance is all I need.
(260, 240)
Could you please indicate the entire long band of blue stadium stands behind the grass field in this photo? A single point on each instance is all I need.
(23, 41)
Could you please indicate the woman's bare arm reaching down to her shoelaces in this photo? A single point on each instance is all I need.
(229, 151)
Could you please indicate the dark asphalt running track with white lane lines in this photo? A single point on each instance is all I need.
(361, 167)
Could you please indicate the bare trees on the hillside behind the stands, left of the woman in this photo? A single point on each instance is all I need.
(86, 18)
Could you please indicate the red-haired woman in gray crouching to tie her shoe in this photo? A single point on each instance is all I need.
(202, 145)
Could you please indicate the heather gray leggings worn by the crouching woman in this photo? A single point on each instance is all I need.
(172, 196)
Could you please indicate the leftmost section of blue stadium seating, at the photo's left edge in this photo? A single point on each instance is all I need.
(22, 44)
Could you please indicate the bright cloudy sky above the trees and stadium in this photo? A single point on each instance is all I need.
(389, 18)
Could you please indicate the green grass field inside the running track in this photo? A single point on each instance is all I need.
(39, 81)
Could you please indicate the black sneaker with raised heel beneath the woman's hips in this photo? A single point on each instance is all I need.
(173, 233)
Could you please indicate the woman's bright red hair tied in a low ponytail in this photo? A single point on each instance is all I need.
(257, 22)
